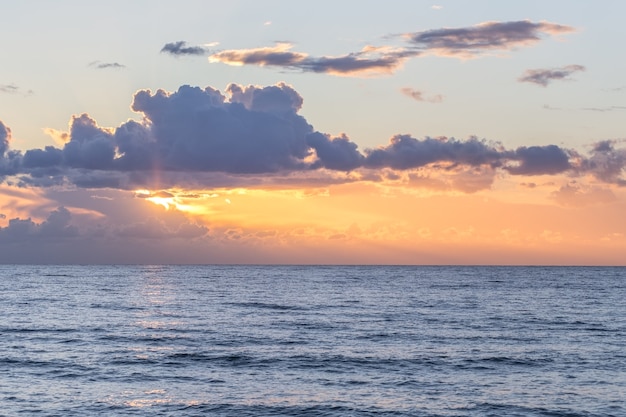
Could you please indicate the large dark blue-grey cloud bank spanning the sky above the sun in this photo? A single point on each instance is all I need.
(196, 135)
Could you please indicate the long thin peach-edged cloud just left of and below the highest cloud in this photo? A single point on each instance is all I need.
(370, 60)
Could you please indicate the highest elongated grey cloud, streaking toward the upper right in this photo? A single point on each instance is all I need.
(470, 42)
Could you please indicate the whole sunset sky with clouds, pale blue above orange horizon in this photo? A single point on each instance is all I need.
(281, 132)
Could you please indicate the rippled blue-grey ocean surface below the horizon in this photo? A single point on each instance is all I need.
(312, 341)
